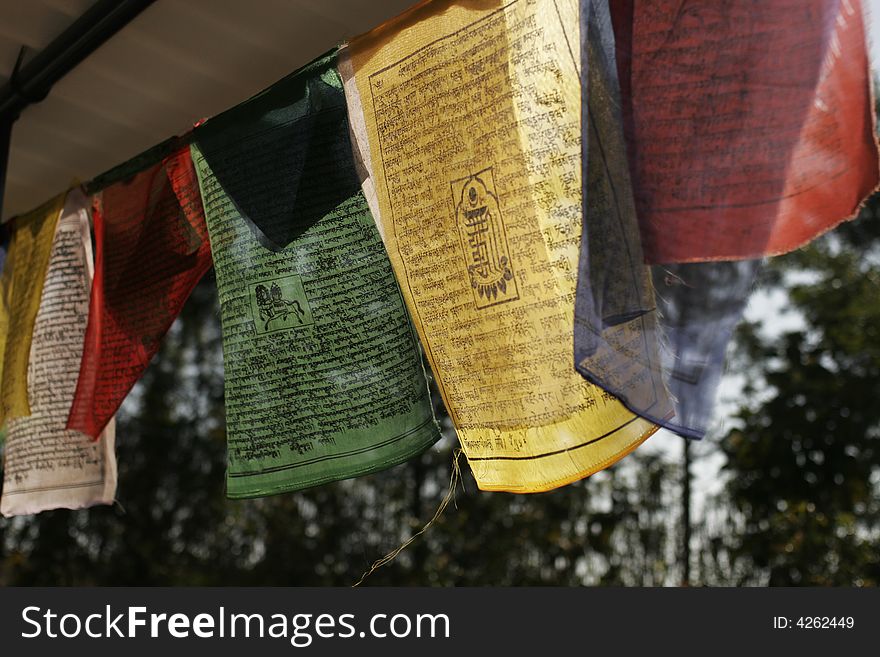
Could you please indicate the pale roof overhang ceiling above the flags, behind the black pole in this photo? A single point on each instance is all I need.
(177, 62)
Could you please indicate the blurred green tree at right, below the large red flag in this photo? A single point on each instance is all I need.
(804, 462)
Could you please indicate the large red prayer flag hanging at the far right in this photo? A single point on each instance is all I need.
(749, 124)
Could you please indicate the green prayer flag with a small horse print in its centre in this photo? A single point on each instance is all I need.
(324, 378)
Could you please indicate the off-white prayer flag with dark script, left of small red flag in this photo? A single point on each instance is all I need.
(45, 465)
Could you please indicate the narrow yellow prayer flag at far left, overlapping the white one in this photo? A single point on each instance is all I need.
(30, 244)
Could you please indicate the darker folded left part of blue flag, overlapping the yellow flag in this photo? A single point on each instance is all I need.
(617, 332)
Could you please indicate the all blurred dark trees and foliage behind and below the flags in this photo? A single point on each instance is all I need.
(800, 504)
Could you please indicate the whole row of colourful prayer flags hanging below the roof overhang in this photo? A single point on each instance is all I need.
(564, 203)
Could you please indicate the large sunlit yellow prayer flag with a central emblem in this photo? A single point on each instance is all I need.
(466, 119)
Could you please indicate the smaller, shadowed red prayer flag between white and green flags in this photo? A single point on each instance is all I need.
(151, 250)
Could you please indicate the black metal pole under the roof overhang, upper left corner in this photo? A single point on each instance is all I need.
(31, 82)
